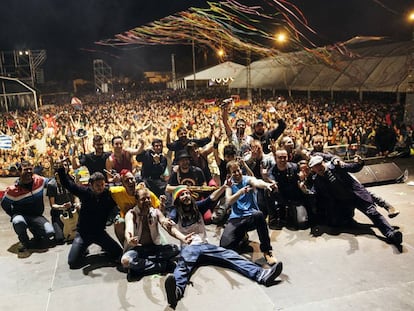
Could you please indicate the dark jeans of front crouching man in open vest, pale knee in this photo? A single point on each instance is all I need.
(150, 259)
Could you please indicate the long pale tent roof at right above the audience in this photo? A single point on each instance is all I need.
(372, 67)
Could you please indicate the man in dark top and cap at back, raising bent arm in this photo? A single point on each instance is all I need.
(265, 136)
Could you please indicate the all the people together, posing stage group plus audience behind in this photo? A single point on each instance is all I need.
(169, 161)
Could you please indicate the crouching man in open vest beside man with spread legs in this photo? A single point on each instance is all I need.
(144, 253)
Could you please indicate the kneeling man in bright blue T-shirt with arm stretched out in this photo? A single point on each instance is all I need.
(245, 215)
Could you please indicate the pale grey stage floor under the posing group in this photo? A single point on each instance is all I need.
(353, 270)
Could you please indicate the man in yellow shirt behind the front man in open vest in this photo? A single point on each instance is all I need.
(124, 196)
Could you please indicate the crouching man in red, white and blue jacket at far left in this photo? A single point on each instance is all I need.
(24, 203)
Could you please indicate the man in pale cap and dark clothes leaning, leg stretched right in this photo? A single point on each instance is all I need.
(338, 193)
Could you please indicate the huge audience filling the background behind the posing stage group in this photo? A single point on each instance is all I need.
(53, 130)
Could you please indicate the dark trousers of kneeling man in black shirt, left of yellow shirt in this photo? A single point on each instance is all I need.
(81, 243)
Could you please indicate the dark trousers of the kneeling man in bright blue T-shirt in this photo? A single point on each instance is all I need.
(236, 229)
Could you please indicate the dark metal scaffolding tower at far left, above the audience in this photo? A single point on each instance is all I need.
(25, 65)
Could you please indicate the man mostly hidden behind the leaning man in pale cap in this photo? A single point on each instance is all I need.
(318, 143)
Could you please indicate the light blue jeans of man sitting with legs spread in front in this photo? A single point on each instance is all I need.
(193, 256)
